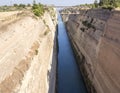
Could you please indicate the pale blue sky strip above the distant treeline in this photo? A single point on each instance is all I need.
(55, 2)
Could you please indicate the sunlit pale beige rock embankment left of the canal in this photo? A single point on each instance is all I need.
(28, 53)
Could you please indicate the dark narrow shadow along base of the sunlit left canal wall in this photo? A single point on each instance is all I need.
(53, 73)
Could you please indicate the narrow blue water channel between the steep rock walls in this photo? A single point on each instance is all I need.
(69, 77)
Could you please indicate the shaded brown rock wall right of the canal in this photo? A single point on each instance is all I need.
(95, 37)
